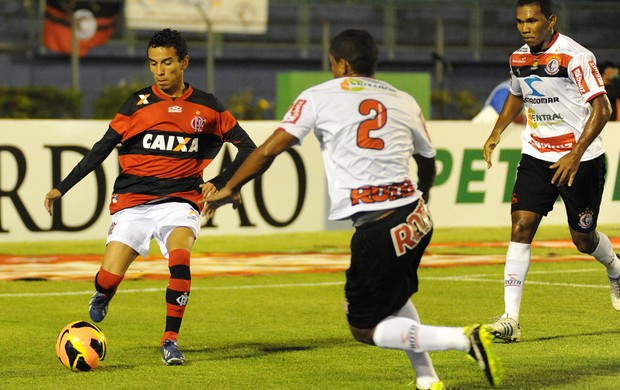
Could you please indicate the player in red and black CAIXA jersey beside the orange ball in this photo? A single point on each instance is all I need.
(168, 133)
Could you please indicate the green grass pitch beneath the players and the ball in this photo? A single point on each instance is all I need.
(289, 332)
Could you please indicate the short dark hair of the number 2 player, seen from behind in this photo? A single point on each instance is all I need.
(358, 48)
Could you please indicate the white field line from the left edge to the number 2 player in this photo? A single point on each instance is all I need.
(157, 289)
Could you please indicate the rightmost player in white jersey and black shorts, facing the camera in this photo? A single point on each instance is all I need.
(558, 83)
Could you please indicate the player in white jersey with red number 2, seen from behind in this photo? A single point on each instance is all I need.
(368, 131)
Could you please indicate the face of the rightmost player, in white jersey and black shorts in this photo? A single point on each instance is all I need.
(535, 28)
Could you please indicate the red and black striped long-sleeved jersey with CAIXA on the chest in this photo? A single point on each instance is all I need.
(165, 144)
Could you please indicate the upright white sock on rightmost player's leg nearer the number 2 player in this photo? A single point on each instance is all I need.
(516, 268)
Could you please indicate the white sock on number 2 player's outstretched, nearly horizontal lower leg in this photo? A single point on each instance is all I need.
(406, 334)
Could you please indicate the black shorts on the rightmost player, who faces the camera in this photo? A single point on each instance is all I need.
(534, 192)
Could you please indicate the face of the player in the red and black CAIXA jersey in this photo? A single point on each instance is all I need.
(167, 70)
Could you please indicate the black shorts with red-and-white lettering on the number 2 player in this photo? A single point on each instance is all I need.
(385, 256)
